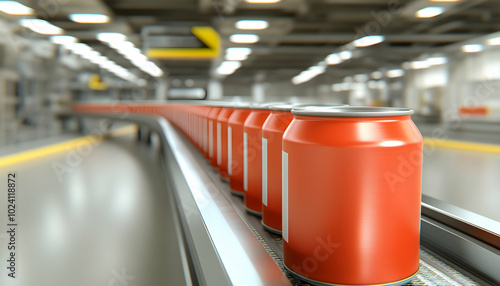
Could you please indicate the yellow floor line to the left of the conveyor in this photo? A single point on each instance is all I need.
(59, 147)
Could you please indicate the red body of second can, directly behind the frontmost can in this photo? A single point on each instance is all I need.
(272, 141)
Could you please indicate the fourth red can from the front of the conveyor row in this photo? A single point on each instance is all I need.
(235, 147)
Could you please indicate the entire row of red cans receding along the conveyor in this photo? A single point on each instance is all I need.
(341, 183)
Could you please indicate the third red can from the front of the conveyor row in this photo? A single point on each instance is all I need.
(252, 158)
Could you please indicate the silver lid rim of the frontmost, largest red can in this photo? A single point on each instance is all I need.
(352, 111)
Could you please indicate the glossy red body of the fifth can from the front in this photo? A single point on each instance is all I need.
(222, 140)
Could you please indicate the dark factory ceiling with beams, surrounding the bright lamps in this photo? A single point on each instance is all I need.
(300, 33)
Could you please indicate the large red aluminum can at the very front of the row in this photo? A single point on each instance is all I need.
(351, 195)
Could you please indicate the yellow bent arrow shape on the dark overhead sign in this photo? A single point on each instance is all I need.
(206, 35)
